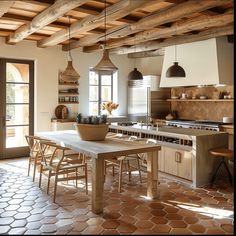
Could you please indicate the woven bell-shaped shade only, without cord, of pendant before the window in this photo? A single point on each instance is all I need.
(105, 64)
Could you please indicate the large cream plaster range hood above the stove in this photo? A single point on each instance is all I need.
(208, 62)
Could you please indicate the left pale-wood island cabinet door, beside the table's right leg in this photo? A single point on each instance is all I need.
(171, 165)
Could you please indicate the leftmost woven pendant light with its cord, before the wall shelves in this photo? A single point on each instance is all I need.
(70, 75)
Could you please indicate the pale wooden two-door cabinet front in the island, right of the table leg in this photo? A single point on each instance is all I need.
(176, 162)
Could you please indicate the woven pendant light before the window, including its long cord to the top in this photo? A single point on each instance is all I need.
(105, 64)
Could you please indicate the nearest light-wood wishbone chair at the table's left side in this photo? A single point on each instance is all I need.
(63, 165)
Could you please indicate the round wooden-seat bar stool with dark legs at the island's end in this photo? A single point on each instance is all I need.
(222, 153)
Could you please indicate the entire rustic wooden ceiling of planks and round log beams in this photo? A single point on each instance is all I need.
(135, 27)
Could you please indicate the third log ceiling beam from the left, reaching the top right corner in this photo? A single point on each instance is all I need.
(165, 16)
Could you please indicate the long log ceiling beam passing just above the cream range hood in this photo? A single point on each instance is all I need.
(153, 45)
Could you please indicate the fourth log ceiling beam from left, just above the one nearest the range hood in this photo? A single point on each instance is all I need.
(195, 24)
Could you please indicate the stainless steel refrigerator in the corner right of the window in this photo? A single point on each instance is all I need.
(147, 100)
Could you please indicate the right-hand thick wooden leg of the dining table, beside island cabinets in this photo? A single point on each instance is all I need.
(152, 174)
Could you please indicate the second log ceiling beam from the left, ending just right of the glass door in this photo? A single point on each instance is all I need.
(113, 12)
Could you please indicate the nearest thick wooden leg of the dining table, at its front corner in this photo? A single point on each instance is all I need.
(97, 184)
